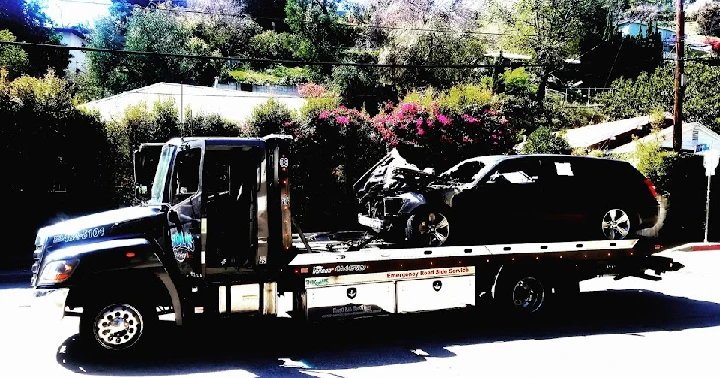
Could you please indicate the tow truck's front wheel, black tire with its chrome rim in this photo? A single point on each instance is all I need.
(117, 326)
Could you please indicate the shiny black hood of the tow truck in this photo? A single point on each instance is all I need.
(91, 226)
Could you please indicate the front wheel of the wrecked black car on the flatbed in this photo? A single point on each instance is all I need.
(428, 228)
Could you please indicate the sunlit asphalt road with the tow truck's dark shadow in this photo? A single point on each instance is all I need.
(630, 327)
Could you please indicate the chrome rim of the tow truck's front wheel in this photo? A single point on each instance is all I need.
(118, 326)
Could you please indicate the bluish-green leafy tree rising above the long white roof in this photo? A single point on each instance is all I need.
(214, 30)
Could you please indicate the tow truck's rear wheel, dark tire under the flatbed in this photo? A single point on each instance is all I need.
(521, 293)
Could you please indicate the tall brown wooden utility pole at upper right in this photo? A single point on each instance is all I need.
(679, 73)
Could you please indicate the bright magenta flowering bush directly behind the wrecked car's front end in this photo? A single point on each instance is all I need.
(446, 137)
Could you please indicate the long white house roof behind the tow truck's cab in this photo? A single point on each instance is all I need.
(230, 104)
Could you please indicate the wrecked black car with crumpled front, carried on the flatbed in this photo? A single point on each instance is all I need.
(506, 199)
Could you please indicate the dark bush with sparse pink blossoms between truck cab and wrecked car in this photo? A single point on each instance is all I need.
(334, 146)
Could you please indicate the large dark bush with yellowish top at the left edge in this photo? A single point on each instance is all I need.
(57, 156)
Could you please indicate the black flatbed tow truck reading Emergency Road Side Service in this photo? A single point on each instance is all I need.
(216, 239)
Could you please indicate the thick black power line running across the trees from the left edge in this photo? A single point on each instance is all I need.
(254, 60)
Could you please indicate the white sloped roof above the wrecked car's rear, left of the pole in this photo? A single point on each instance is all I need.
(587, 136)
